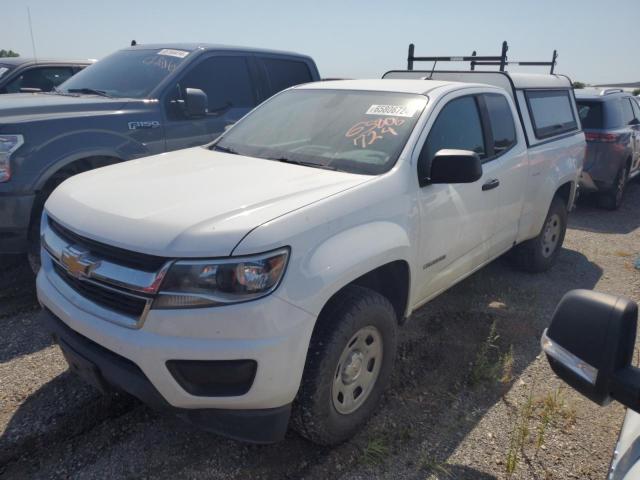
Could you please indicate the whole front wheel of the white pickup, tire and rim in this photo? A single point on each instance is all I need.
(348, 365)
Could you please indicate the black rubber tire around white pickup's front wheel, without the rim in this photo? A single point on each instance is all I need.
(314, 413)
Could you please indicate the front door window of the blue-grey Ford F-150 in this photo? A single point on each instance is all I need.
(225, 80)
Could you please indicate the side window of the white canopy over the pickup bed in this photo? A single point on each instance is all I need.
(551, 112)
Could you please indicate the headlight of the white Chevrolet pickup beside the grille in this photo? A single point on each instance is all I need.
(209, 283)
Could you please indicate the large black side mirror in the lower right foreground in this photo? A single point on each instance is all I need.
(590, 344)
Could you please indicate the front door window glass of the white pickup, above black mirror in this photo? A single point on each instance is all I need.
(458, 126)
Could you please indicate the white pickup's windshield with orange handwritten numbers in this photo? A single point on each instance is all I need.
(349, 130)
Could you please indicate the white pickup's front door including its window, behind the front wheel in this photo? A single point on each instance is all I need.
(457, 221)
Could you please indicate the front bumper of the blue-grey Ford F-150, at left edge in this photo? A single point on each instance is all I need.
(15, 216)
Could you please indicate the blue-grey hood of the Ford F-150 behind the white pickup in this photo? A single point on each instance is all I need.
(21, 107)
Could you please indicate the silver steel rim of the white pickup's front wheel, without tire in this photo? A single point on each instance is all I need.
(357, 371)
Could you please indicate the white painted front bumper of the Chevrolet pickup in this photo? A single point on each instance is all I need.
(270, 331)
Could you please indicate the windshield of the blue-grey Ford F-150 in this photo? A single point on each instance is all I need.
(126, 73)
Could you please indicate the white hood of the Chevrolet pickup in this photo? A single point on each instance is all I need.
(188, 203)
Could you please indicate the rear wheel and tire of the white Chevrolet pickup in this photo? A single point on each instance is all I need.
(539, 254)
